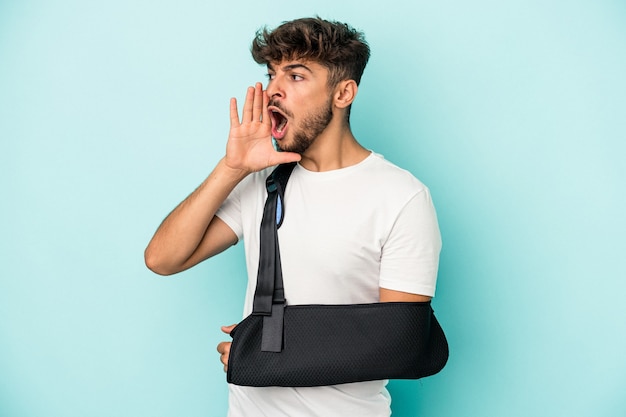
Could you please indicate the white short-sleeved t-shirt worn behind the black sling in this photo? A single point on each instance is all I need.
(345, 234)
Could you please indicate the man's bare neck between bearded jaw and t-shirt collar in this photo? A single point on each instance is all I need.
(335, 148)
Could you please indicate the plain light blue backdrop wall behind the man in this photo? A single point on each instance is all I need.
(513, 113)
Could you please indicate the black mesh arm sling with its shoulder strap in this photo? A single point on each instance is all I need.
(315, 345)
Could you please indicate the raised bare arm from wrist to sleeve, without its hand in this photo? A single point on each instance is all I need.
(180, 235)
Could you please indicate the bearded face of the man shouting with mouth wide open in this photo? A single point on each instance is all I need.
(300, 103)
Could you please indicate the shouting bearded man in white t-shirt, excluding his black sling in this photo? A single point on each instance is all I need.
(357, 229)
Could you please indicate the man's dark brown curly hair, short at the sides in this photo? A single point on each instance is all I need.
(335, 45)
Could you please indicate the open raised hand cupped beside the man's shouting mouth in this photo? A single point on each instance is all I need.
(249, 146)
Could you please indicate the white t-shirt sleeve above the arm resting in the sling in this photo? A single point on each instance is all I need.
(410, 255)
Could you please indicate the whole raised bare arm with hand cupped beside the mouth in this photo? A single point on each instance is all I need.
(189, 234)
